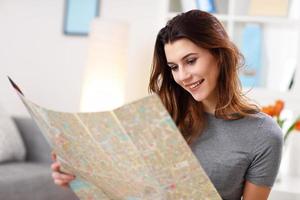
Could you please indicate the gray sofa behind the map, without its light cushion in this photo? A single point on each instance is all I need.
(31, 180)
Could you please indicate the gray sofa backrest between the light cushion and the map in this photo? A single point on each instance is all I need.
(37, 148)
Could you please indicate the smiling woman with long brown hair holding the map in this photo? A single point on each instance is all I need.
(195, 73)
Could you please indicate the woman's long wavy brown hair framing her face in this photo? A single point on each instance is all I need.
(207, 32)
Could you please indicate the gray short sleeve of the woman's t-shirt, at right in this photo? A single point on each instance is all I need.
(266, 154)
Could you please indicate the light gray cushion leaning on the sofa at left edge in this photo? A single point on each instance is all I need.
(11, 144)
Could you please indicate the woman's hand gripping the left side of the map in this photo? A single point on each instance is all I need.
(60, 178)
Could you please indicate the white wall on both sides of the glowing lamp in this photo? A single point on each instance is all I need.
(49, 65)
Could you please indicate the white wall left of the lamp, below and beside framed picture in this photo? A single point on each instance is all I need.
(45, 63)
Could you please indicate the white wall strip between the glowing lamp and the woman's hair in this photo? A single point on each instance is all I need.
(145, 18)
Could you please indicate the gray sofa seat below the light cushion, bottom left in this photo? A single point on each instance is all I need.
(30, 181)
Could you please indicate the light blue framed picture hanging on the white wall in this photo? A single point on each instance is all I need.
(78, 16)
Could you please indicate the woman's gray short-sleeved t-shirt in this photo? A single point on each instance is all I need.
(232, 151)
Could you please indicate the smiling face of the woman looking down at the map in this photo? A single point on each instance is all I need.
(194, 68)
